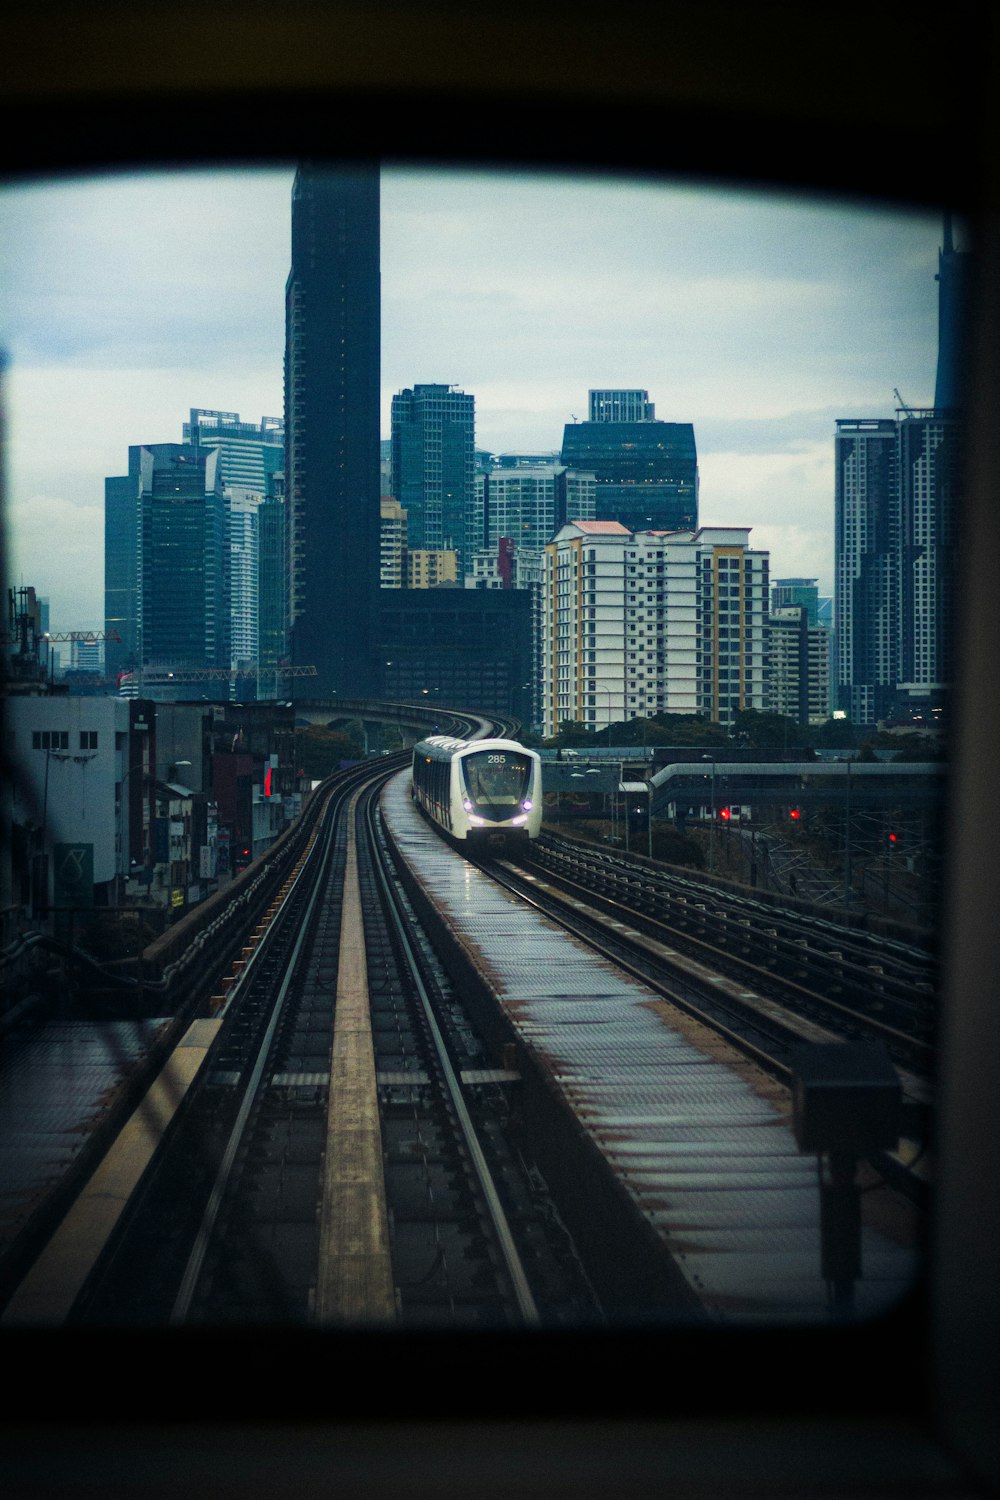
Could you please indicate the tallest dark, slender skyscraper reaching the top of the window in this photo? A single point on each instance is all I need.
(332, 430)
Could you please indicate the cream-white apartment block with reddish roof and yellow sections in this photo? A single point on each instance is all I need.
(651, 622)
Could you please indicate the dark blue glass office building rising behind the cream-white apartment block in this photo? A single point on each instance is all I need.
(647, 470)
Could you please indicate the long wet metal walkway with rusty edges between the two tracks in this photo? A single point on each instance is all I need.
(699, 1136)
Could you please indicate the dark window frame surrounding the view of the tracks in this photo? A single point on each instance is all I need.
(953, 1321)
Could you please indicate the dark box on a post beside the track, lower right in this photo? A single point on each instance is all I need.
(845, 1097)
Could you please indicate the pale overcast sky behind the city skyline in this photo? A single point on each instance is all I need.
(761, 320)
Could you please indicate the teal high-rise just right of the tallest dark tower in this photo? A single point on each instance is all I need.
(434, 464)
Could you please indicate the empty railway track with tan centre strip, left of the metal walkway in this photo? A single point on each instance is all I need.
(238, 1220)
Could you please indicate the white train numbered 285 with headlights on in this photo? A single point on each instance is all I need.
(479, 791)
